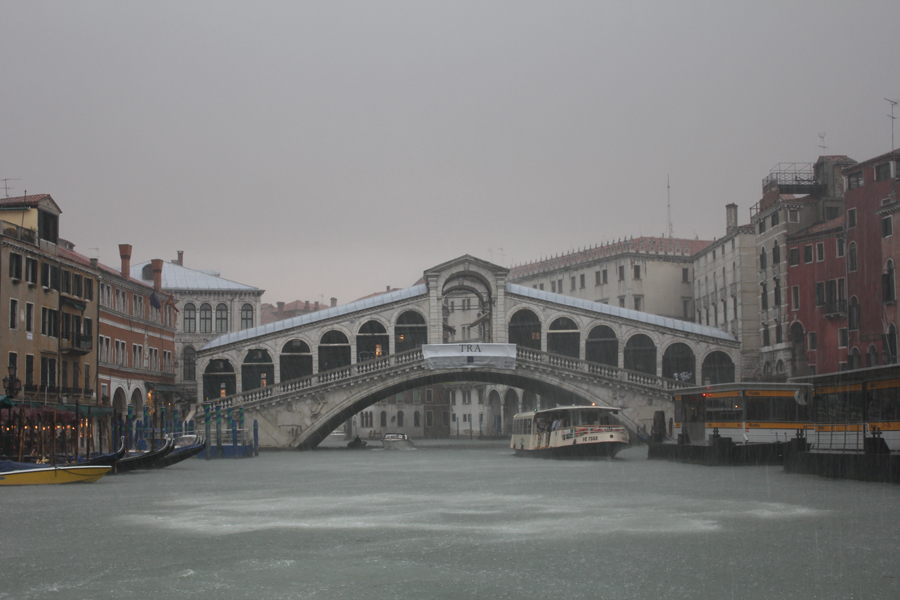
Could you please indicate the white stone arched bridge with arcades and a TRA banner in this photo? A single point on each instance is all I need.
(301, 378)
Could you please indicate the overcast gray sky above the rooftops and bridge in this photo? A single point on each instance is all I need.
(318, 149)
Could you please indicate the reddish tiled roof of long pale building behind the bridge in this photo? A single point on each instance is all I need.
(643, 245)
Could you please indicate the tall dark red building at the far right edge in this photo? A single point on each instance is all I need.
(873, 250)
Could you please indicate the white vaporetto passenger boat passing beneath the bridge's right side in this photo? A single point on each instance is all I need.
(569, 432)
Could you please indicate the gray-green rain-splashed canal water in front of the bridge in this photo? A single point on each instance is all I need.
(461, 521)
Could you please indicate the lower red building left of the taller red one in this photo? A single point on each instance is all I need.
(817, 298)
